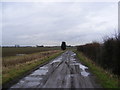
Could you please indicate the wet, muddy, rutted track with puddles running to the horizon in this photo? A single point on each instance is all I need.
(63, 72)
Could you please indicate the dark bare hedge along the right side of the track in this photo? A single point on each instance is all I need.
(107, 55)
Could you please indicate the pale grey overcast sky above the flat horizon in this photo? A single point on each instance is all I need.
(50, 23)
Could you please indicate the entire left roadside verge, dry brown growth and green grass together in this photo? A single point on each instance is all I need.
(16, 66)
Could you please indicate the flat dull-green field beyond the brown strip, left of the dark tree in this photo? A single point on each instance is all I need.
(12, 51)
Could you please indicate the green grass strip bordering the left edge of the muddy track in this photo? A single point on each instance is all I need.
(20, 69)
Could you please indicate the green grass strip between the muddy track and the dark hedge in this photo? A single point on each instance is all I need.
(106, 79)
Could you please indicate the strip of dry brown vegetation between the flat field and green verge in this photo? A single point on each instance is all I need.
(10, 61)
